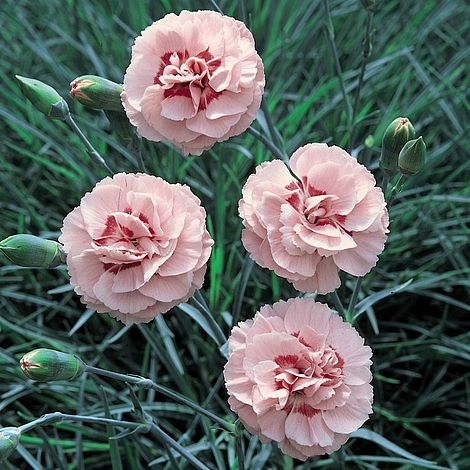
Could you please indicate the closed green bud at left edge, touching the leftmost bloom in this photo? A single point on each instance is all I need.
(32, 252)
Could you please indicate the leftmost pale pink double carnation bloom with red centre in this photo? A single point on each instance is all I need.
(136, 246)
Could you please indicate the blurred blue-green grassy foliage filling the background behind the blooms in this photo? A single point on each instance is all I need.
(419, 335)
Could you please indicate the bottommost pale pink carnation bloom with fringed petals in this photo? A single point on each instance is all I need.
(300, 376)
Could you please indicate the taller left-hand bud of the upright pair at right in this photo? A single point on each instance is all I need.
(396, 135)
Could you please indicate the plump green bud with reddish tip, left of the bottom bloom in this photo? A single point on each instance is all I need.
(46, 365)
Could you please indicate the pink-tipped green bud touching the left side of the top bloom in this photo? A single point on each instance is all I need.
(97, 92)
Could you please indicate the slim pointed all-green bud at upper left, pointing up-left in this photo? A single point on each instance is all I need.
(44, 98)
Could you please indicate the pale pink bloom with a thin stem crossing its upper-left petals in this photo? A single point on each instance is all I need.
(325, 216)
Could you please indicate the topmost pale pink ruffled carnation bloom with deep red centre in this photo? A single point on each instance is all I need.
(194, 79)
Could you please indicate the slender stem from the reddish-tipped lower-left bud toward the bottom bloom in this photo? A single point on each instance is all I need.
(150, 384)
